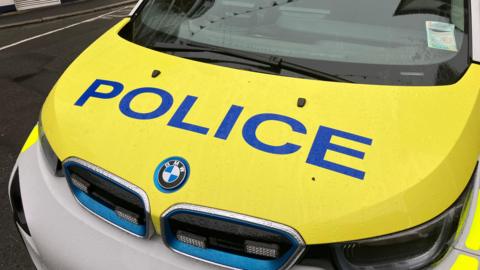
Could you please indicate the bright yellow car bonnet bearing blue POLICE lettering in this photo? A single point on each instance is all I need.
(355, 161)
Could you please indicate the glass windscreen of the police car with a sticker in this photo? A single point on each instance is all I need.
(406, 42)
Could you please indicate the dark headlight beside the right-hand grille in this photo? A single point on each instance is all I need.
(411, 249)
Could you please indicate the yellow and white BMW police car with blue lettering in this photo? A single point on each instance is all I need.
(262, 134)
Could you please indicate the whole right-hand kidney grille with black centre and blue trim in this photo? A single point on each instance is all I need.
(230, 239)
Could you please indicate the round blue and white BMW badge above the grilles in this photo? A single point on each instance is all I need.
(171, 174)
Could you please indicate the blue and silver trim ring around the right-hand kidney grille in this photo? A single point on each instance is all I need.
(228, 259)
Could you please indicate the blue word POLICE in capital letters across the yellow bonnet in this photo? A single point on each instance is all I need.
(321, 144)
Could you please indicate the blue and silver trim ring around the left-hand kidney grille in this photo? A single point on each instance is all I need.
(99, 209)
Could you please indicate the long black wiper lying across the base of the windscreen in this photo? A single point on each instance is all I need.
(275, 62)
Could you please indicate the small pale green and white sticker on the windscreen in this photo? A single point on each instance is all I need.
(441, 36)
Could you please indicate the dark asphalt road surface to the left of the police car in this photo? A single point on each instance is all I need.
(28, 71)
